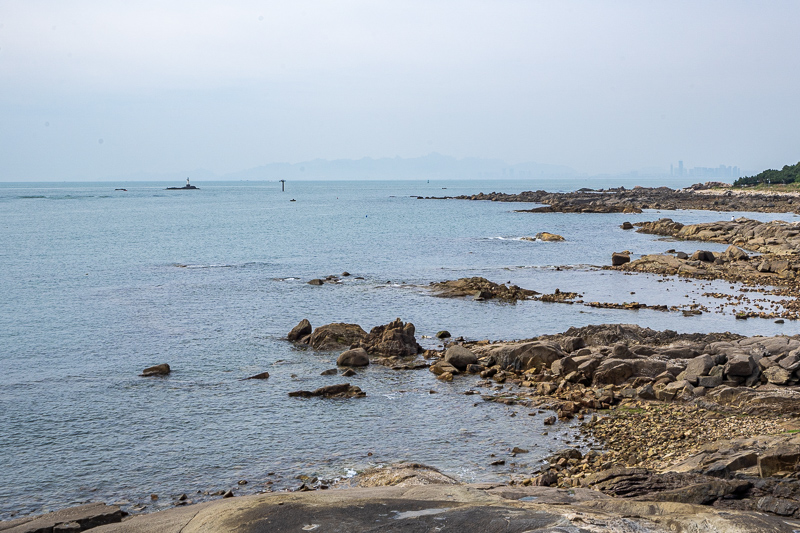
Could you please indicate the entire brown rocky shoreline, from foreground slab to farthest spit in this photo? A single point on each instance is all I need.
(678, 432)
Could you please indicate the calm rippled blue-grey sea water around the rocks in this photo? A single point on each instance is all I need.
(98, 284)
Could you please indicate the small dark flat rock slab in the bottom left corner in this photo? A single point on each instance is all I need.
(86, 516)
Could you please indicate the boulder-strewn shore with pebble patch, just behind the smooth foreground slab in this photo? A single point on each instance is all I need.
(691, 418)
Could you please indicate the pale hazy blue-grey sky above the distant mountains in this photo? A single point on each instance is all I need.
(92, 89)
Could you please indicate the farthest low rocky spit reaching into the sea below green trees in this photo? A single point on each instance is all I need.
(621, 200)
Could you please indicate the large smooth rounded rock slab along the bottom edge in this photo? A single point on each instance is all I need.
(444, 508)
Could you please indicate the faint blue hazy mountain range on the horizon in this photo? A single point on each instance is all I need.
(431, 166)
